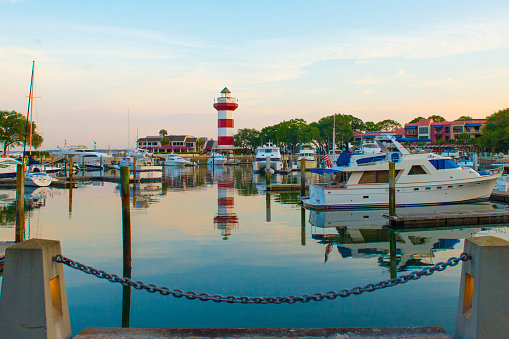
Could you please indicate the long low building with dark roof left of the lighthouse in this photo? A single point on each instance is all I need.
(178, 143)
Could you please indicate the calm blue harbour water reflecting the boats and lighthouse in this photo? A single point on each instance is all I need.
(220, 232)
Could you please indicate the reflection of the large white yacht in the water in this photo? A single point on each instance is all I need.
(362, 234)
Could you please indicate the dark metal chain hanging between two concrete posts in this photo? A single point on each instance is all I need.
(177, 293)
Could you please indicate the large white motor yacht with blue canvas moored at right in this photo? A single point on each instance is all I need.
(421, 179)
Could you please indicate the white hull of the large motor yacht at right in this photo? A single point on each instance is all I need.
(326, 196)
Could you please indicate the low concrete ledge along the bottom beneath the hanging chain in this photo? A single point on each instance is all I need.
(262, 333)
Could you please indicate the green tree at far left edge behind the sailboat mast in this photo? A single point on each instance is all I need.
(13, 127)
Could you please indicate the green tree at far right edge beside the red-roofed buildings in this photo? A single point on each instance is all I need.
(495, 134)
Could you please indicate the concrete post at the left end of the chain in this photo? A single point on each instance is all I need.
(34, 299)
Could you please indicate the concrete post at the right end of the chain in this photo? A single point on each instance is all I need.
(483, 305)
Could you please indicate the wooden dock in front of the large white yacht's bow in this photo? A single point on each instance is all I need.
(463, 218)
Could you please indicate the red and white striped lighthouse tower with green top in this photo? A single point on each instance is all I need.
(225, 106)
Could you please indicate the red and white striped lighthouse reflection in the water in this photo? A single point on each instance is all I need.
(226, 220)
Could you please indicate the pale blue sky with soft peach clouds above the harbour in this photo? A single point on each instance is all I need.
(108, 71)
